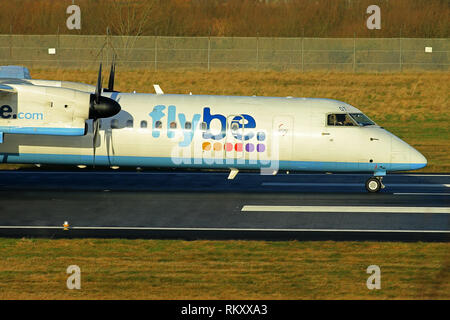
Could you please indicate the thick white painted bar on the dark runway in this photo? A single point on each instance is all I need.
(356, 209)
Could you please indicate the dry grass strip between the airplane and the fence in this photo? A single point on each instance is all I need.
(414, 106)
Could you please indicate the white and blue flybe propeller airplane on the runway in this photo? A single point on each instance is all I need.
(59, 122)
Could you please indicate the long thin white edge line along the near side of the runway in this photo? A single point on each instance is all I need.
(226, 229)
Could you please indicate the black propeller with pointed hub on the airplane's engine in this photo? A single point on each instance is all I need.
(102, 107)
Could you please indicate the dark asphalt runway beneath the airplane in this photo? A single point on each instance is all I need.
(206, 205)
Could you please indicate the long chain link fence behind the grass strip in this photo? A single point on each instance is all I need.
(227, 53)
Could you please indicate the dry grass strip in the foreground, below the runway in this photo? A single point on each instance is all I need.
(141, 269)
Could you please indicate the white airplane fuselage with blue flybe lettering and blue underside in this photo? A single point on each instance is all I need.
(222, 132)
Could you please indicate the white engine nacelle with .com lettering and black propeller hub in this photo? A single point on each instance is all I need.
(31, 109)
